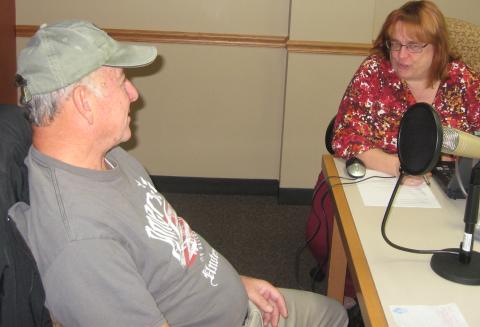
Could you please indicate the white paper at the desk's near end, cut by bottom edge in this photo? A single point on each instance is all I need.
(447, 315)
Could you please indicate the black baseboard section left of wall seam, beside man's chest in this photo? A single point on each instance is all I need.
(203, 185)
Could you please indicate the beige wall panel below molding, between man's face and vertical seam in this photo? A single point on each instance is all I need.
(213, 111)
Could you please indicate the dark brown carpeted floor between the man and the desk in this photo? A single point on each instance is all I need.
(258, 236)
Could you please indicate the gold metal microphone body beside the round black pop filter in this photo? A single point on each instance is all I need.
(460, 143)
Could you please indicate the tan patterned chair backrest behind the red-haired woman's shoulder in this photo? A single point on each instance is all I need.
(465, 41)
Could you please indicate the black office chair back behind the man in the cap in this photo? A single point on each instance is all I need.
(22, 296)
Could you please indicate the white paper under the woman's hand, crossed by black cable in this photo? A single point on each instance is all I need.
(376, 192)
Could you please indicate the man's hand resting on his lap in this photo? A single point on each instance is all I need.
(267, 298)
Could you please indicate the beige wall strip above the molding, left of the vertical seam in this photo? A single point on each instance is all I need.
(265, 17)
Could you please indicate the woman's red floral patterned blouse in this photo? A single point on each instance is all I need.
(376, 99)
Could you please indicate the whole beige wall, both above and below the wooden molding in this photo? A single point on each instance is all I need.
(233, 111)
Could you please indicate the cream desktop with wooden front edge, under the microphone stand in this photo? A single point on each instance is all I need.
(385, 276)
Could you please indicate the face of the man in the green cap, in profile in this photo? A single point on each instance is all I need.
(112, 105)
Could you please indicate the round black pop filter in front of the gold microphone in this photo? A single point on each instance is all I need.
(419, 139)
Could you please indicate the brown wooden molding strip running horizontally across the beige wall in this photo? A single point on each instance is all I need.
(294, 46)
